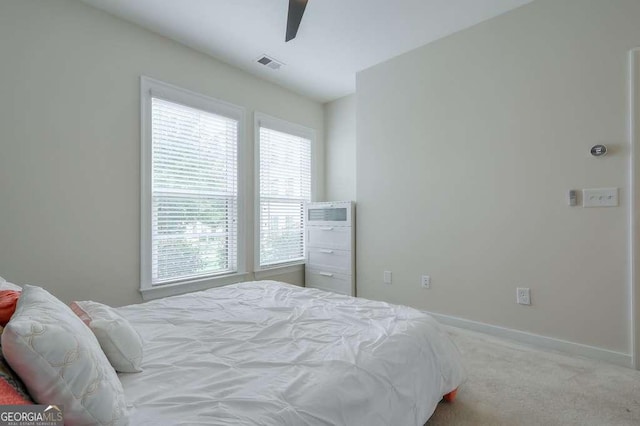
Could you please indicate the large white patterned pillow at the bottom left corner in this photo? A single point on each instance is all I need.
(60, 361)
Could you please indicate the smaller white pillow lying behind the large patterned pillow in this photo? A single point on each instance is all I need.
(120, 342)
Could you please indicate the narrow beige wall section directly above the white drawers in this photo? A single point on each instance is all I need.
(340, 149)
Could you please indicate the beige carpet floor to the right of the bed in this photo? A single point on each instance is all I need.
(512, 384)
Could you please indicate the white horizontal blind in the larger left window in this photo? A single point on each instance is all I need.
(194, 193)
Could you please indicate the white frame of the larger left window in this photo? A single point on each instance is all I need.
(149, 88)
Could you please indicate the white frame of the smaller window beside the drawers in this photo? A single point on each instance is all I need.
(280, 125)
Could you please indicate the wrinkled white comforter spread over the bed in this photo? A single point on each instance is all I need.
(268, 353)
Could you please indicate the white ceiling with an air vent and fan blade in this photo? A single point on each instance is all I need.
(336, 39)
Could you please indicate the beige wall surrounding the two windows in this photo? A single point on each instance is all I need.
(70, 144)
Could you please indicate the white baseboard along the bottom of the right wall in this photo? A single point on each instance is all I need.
(538, 341)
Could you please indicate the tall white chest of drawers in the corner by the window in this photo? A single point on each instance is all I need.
(330, 246)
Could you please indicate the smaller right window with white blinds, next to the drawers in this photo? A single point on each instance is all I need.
(284, 185)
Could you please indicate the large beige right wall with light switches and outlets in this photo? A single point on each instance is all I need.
(466, 149)
